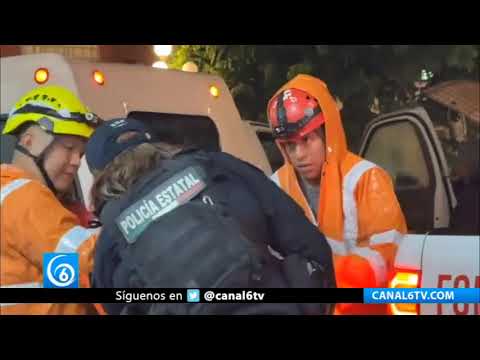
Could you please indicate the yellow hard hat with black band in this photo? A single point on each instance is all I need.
(55, 109)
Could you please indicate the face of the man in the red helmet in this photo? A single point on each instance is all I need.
(307, 156)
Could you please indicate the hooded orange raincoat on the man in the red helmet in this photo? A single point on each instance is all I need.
(358, 211)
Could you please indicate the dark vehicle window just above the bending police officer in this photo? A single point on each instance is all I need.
(186, 130)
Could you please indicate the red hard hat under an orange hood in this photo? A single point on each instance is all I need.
(293, 114)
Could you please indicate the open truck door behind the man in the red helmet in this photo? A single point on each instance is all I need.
(405, 144)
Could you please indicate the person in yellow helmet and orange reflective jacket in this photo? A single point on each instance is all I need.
(52, 126)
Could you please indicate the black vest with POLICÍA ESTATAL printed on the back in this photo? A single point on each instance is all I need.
(196, 243)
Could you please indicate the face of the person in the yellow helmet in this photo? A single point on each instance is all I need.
(63, 160)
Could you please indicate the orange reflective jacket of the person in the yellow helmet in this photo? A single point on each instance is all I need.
(33, 222)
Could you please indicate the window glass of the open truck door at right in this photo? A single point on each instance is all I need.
(399, 148)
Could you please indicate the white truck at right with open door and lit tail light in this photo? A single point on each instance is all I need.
(442, 248)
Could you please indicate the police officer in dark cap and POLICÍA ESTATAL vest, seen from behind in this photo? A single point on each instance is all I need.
(180, 217)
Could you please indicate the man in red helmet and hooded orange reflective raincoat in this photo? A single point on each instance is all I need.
(351, 200)
